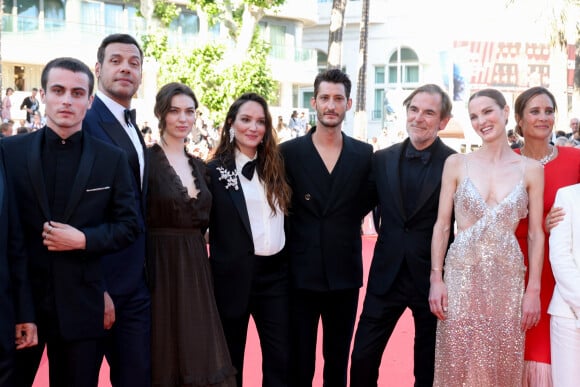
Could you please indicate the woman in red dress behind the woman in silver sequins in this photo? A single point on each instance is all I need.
(535, 112)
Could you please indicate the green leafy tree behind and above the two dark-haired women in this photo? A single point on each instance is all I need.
(217, 73)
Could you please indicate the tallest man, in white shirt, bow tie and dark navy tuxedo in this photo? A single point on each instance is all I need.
(127, 348)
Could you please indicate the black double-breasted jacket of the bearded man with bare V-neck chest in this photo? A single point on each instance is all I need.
(324, 240)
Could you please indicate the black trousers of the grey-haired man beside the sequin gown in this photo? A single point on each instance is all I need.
(378, 320)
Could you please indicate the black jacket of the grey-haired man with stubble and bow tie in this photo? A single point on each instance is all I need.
(404, 237)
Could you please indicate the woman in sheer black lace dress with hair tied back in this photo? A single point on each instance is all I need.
(188, 344)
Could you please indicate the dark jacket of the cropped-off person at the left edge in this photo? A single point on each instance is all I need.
(15, 298)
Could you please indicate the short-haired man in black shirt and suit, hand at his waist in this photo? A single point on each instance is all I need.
(75, 202)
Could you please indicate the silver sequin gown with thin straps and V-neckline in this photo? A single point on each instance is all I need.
(481, 342)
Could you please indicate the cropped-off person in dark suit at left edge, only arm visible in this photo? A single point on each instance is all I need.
(16, 307)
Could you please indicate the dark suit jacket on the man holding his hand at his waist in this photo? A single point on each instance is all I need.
(101, 205)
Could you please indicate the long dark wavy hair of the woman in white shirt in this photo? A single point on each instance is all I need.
(270, 167)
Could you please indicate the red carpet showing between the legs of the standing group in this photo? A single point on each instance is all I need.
(396, 367)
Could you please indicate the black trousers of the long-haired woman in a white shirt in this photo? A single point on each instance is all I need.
(269, 306)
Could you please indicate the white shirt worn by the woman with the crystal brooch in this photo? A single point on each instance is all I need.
(267, 227)
